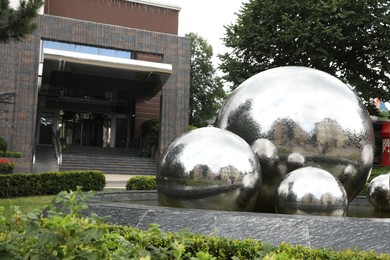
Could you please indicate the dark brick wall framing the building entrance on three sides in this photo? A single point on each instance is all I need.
(19, 67)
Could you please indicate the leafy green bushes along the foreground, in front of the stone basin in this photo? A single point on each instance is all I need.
(63, 232)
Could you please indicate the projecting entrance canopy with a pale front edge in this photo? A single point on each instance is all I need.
(142, 78)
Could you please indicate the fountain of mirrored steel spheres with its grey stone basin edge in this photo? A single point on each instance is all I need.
(313, 144)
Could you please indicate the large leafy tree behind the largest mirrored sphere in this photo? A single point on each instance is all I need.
(348, 39)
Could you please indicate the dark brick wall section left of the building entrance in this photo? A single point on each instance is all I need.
(18, 75)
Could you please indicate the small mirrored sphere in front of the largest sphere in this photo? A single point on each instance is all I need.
(311, 191)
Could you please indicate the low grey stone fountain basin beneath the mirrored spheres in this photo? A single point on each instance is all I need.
(371, 233)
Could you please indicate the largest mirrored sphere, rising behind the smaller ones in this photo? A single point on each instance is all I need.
(309, 118)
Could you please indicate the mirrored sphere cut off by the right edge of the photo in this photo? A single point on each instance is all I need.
(379, 192)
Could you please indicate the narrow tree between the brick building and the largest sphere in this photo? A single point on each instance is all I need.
(206, 89)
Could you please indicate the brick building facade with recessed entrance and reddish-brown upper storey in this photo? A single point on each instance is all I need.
(91, 73)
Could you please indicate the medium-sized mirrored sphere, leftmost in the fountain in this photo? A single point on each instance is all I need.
(209, 168)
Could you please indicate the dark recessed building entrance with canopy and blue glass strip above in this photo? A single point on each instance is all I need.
(93, 93)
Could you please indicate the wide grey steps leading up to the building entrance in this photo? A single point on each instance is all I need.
(108, 160)
